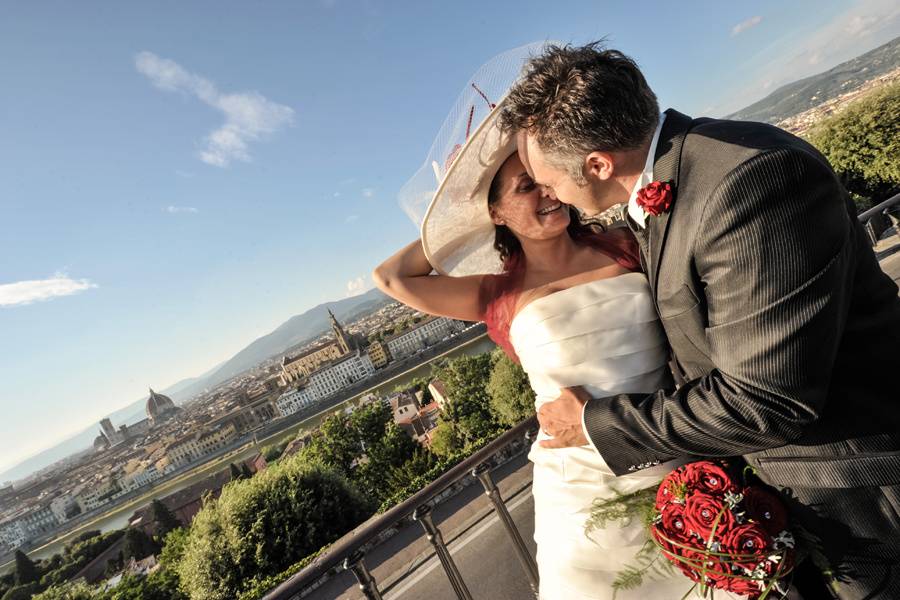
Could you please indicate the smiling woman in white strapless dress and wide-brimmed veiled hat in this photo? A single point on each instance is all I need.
(571, 305)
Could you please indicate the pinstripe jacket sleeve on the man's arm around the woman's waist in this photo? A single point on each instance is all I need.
(775, 255)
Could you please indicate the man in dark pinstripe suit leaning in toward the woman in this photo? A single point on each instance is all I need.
(785, 333)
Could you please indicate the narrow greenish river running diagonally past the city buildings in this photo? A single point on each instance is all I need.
(117, 518)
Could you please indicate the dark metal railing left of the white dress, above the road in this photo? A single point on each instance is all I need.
(348, 550)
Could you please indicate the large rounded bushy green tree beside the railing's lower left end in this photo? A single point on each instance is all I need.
(261, 526)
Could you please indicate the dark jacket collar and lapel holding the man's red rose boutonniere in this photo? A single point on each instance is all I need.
(665, 168)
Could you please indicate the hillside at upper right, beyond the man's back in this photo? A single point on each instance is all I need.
(794, 98)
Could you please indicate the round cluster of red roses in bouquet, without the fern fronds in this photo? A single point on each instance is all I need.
(720, 534)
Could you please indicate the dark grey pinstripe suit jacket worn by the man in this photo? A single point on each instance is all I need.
(781, 322)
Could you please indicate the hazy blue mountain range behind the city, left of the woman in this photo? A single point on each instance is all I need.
(296, 331)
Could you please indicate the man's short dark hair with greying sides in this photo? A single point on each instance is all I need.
(579, 99)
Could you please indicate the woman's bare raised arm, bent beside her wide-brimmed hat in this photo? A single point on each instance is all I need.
(406, 276)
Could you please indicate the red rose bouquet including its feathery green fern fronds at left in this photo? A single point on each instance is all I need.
(720, 533)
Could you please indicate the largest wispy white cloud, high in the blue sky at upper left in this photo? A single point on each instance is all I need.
(249, 116)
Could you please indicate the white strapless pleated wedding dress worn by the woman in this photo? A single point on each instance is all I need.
(604, 336)
